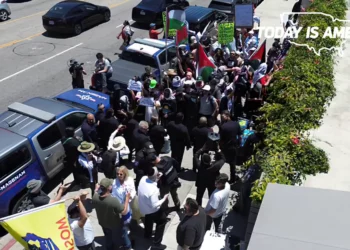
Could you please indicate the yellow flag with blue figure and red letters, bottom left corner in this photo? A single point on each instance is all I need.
(45, 228)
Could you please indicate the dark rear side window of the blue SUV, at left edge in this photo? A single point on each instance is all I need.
(14, 161)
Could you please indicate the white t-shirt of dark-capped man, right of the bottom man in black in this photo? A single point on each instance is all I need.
(218, 200)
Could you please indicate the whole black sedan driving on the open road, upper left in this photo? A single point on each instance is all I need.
(74, 16)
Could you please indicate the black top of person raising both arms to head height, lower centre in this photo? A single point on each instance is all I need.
(208, 173)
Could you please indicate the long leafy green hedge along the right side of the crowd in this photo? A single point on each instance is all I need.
(298, 99)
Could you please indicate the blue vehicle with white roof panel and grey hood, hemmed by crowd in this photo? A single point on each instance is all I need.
(143, 52)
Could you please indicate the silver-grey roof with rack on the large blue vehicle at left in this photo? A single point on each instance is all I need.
(23, 123)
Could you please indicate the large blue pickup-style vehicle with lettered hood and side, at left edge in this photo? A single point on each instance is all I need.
(30, 145)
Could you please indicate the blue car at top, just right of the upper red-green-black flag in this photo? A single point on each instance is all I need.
(198, 18)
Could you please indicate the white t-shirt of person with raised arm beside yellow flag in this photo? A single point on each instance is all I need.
(82, 236)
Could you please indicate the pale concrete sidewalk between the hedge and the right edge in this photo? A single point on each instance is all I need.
(334, 134)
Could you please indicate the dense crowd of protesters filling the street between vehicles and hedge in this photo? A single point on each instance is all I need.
(181, 112)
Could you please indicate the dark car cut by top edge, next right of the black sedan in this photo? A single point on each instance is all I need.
(150, 11)
